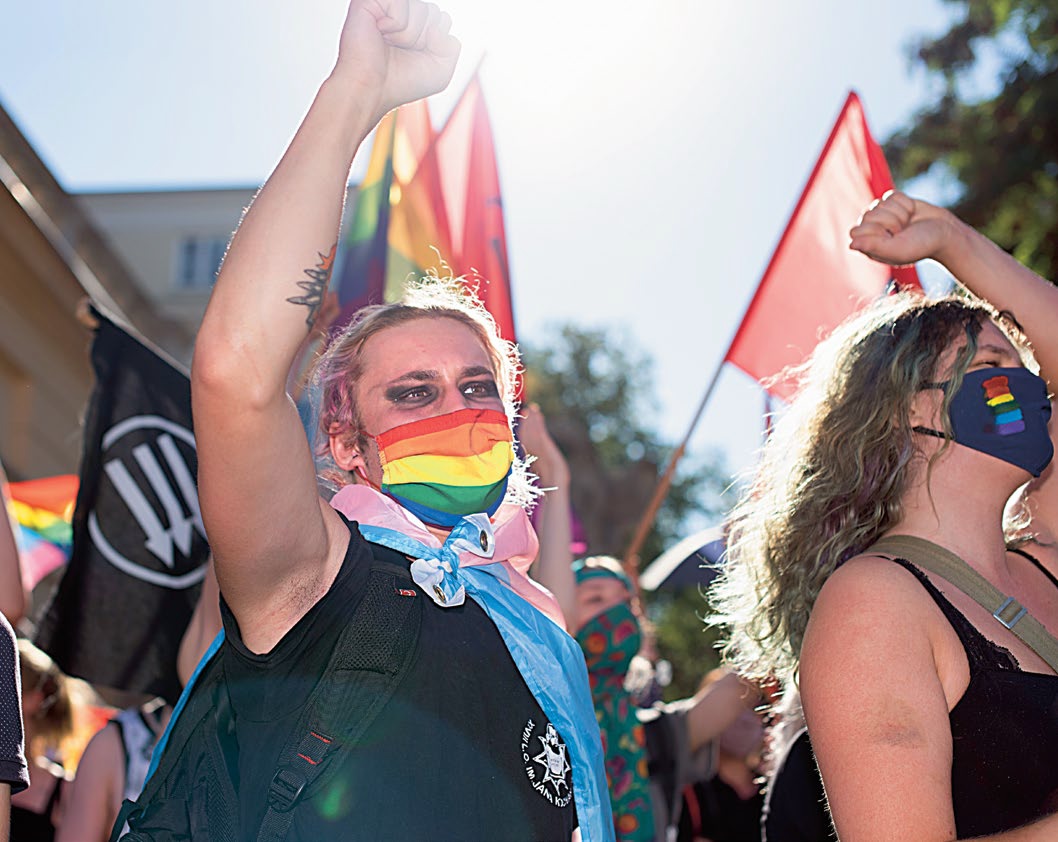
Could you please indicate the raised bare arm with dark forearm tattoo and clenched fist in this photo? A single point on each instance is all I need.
(276, 545)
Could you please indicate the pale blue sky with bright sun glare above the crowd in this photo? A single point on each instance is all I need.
(650, 154)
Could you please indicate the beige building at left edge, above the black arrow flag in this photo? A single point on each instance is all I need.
(51, 258)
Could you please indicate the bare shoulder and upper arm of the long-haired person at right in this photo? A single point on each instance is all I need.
(875, 703)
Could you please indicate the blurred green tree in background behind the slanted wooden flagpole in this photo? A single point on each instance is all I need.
(596, 390)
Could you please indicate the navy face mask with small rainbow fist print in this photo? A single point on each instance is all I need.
(1004, 413)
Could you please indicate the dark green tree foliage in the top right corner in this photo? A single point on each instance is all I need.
(1001, 151)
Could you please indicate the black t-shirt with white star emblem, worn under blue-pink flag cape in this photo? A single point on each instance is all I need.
(462, 751)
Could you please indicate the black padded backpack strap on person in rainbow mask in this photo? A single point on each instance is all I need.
(372, 657)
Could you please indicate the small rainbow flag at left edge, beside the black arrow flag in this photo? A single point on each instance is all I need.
(43, 510)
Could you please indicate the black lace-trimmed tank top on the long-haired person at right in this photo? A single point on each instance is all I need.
(1005, 735)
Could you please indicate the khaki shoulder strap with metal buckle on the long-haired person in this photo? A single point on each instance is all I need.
(1007, 610)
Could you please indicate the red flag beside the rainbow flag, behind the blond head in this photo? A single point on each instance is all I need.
(467, 162)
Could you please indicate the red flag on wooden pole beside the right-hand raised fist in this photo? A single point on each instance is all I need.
(814, 282)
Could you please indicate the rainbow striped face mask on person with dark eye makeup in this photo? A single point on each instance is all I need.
(444, 468)
